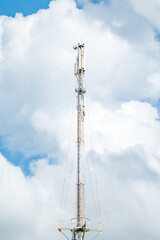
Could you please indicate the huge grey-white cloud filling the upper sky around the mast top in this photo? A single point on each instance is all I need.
(37, 77)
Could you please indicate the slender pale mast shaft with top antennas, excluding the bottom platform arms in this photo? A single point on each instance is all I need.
(79, 72)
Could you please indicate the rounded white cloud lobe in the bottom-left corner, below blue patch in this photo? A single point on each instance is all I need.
(18, 213)
